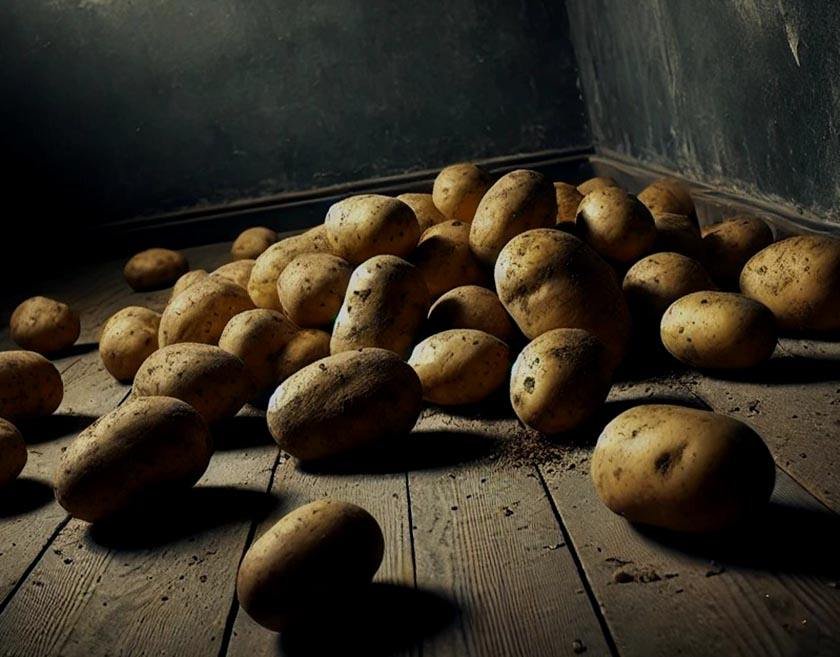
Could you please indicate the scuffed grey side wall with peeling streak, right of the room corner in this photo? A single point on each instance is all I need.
(744, 94)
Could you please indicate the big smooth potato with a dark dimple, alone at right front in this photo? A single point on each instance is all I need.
(681, 468)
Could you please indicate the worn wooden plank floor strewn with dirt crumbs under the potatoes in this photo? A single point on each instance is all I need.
(496, 542)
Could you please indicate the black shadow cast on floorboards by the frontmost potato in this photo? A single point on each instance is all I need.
(386, 619)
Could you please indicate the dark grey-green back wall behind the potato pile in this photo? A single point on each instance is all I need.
(113, 109)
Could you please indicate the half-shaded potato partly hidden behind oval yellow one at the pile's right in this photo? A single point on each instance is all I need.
(655, 282)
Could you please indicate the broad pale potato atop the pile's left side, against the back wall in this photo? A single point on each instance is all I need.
(368, 225)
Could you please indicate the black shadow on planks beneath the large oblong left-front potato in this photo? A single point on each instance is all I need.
(181, 515)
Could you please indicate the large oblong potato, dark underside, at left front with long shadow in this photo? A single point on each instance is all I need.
(146, 447)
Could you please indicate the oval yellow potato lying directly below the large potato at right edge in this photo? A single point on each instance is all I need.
(719, 330)
